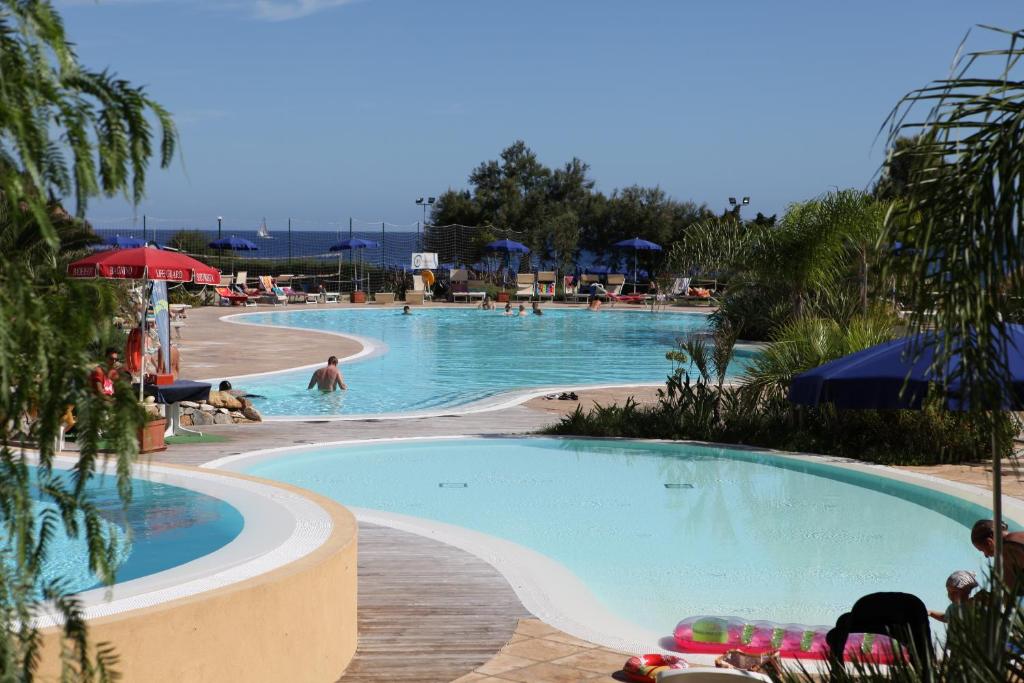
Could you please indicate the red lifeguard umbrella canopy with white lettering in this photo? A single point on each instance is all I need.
(145, 264)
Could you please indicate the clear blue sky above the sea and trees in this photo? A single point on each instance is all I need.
(321, 110)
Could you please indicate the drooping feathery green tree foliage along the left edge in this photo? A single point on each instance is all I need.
(69, 135)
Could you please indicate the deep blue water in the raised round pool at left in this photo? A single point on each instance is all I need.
(164, 527)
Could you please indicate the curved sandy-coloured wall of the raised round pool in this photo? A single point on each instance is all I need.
(295, 624)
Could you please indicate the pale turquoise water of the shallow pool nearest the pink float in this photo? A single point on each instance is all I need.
(744, 535)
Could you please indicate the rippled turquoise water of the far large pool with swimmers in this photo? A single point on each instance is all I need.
(444, 357)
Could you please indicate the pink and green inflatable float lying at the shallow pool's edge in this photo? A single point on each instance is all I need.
(715, 635)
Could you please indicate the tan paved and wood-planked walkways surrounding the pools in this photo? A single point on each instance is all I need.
(429, 612)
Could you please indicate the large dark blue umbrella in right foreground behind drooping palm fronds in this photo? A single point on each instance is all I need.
(899, 374)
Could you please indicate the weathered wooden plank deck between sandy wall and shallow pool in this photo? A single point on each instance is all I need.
(429, 612)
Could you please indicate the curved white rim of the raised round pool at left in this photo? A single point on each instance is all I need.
(280, 528)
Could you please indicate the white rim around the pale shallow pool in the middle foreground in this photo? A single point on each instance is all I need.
(548, 589)
